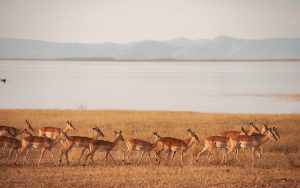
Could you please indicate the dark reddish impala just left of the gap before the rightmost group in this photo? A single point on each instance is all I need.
(173, 145)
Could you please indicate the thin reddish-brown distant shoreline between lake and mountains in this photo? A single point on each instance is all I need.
(160, 60)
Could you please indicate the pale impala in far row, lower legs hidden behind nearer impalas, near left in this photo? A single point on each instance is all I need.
(56, 133)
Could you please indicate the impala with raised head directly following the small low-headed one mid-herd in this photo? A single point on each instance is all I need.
(102, 145)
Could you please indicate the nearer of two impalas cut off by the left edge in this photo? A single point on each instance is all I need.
(12, 143)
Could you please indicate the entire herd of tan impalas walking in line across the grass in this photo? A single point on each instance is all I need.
(49, 137)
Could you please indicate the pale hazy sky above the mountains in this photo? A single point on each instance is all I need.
(94, 21)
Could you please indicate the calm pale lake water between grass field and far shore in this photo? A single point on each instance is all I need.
(231, 87)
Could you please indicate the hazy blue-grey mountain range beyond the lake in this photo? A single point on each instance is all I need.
(223, 47)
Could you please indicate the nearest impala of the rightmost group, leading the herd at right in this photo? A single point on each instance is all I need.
(253, 142)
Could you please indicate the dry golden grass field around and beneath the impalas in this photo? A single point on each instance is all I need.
(279, 166)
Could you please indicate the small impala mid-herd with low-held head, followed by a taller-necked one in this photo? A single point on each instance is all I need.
(138, 145)
